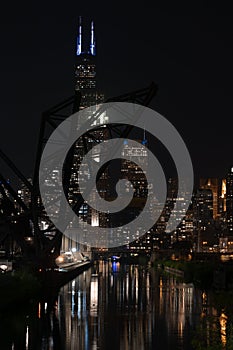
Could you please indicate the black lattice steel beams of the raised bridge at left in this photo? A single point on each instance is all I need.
(49, 246)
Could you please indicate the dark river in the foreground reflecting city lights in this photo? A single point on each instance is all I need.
(113, 306)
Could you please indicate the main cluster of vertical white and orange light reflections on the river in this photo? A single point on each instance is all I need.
(115, 306)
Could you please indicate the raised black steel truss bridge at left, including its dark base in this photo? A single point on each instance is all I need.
(20, 220)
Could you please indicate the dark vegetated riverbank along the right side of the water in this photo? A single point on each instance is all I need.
(217, 280)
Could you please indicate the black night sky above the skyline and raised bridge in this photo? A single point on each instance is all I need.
(187, 51)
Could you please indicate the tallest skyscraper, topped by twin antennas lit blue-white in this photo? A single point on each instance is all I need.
(86, 84)
